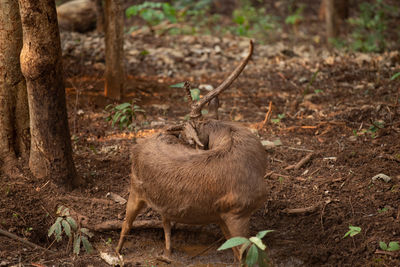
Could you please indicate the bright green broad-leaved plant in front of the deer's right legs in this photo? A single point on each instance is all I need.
(255, 248)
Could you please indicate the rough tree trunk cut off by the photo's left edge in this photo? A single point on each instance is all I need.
(14, 115)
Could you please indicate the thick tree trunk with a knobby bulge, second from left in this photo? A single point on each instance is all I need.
(51, 152)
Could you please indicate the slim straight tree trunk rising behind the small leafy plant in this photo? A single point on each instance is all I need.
(114, 38)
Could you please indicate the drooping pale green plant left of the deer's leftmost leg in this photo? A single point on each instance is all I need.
(66, 224)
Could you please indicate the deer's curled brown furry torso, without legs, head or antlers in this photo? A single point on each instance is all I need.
(196, 186)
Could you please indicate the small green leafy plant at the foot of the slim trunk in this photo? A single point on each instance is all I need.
(123, 114)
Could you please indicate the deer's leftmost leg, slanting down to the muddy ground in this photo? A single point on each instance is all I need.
(133, 207)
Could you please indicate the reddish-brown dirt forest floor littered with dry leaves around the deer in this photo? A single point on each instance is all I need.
(339, 108)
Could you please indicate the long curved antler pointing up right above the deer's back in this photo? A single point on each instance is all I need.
(196, 107)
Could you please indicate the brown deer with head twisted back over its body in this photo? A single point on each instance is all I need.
(220, 180)
